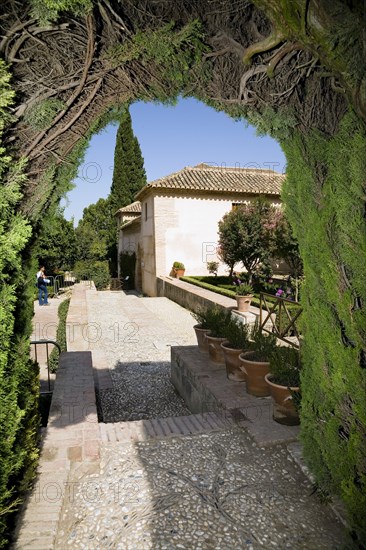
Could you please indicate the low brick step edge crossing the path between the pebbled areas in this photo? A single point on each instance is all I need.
(141, 430)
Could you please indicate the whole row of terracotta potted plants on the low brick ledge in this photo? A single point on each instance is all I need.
(254, 357)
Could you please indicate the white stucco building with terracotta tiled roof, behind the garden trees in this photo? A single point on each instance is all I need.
(175, 218)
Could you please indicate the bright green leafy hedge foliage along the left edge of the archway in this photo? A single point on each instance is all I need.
(18, 375)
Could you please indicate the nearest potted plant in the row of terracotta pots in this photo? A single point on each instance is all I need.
(284, 383)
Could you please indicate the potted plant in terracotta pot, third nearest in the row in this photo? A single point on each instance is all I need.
(237, 341)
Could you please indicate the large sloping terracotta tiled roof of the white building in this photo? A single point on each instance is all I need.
(212, 179)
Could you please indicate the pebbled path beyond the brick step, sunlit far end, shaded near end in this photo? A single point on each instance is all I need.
(138, 353)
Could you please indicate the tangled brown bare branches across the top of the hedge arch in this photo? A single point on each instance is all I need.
(65, 60)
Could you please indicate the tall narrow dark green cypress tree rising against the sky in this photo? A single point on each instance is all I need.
(129, 174)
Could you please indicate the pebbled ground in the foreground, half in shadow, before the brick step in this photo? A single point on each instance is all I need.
(216, 491)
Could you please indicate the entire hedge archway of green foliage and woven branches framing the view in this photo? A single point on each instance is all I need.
(296, 70)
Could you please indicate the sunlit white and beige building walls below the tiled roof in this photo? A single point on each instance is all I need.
(173, 229)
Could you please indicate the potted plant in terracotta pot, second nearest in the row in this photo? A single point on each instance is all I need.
(255, 362)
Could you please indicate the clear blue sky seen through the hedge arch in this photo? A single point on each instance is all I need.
(170, 139)
